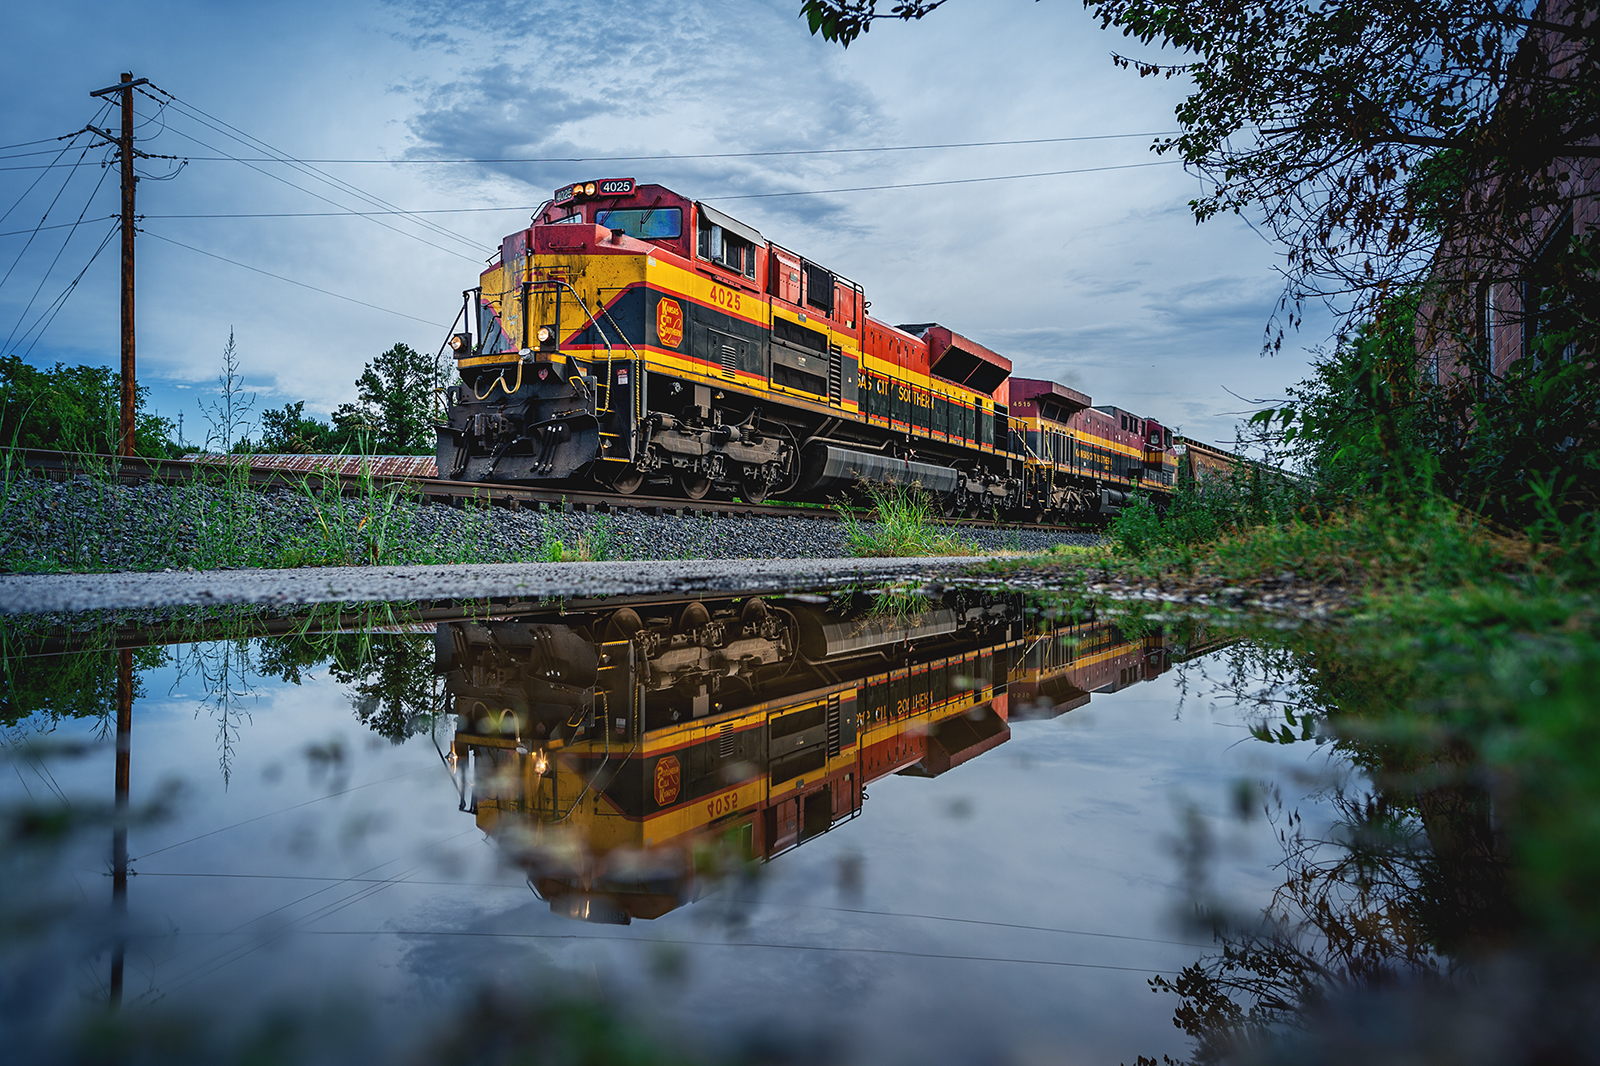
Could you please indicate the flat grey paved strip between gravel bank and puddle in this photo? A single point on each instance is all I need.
(25, 595)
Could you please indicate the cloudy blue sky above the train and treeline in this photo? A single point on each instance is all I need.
(1102, 281)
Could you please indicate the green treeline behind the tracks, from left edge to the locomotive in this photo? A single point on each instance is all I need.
(78, 409)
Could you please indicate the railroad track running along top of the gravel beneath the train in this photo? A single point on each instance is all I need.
(436, 491)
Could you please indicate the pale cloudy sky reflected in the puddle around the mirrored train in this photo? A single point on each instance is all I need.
(366, 876)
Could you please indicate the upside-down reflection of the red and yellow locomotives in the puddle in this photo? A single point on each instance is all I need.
(628, 756)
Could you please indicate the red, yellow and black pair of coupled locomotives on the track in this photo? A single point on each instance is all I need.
(642, 340)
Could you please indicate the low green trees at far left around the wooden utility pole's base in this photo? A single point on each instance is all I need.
(74, 409)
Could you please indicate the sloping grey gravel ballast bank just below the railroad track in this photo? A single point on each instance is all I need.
(95, 526)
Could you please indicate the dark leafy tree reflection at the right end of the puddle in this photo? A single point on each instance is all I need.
(1406, 886)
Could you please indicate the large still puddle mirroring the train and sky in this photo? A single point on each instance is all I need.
(860, 828)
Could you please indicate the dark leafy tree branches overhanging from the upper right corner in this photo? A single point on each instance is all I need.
(1362, 134)
